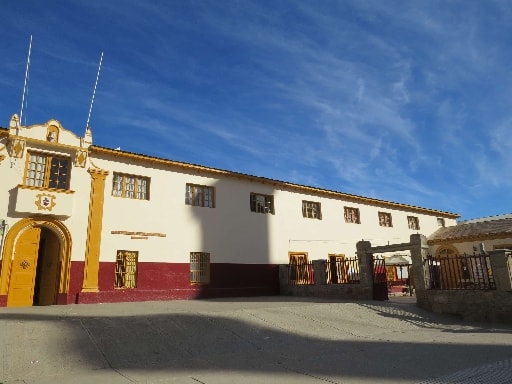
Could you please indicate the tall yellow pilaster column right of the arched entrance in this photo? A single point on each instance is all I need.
(94, 225)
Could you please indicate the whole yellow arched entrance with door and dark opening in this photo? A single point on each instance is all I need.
(36, 262)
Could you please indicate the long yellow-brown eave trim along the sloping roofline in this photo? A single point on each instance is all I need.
(275, 183)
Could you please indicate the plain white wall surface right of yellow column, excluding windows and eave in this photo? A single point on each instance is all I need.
(230, 231)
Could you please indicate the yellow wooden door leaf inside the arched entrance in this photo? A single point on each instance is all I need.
(23, 269)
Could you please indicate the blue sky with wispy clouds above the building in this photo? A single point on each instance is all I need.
(407, 101)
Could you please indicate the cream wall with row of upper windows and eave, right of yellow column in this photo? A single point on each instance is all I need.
(240, 217)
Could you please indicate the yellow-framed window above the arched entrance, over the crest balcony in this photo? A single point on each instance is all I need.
(48, 171)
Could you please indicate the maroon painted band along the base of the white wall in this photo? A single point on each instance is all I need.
(170, 281)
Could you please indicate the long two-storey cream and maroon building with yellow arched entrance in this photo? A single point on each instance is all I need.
(81, 223)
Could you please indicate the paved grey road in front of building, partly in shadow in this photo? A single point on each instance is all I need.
(249, 340)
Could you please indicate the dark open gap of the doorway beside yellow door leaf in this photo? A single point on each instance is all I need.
(49, 270)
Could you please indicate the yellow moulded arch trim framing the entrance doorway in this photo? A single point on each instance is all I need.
(14, 233)
